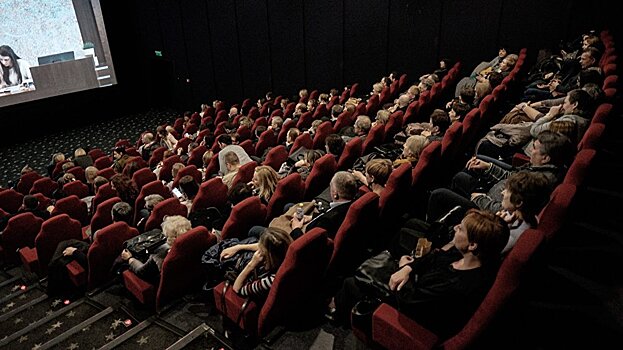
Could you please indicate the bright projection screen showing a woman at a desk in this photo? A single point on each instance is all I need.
(53, 47)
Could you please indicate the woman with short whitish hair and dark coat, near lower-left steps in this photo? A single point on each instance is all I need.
(172, 227)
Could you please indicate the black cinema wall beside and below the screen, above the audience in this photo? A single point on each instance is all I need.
(234, 49)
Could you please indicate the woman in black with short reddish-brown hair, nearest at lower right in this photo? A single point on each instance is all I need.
(441, 290)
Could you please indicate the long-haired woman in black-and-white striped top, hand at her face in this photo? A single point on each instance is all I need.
(272, 248)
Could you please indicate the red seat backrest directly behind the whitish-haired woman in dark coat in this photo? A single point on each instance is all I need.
(181, 270)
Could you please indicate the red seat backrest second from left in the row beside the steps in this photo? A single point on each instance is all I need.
(53, 231)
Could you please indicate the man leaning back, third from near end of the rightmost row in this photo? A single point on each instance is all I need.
(480, 185)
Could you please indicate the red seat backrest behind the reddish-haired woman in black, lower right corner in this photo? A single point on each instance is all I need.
(509, 277)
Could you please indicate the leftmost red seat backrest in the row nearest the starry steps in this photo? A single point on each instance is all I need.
(20, 232)
